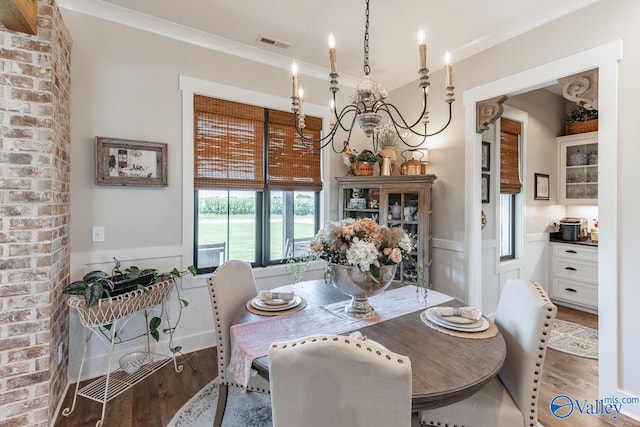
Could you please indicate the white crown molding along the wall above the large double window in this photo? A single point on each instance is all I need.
(141, 21)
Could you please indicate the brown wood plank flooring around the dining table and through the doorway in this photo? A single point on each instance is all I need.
(154, 401)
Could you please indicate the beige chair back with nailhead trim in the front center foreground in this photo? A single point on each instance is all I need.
(338, 381)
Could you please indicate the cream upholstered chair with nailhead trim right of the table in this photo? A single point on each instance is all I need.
(524, 316)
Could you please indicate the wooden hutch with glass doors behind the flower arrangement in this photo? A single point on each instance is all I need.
(395, 201)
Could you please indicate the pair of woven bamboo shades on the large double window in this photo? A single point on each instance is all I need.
(229, 148)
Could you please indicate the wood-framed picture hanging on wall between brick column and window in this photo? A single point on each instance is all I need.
(131, 163)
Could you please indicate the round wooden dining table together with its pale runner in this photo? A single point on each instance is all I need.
(445, 368)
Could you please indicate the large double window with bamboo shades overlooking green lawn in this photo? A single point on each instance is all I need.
(256, 185)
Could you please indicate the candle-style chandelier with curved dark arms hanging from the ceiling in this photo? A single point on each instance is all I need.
(368, 104)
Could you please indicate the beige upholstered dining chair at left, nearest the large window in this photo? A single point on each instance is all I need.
(230, 287)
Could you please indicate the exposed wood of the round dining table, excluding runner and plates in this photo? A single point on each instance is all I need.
(445, 368)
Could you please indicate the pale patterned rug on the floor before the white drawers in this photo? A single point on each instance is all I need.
(575, 339)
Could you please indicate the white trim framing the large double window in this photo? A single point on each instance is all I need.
(190, 86)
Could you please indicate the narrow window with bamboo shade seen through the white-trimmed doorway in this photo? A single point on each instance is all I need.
(510, 185)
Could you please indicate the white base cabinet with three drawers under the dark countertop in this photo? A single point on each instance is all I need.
(574, 275)
